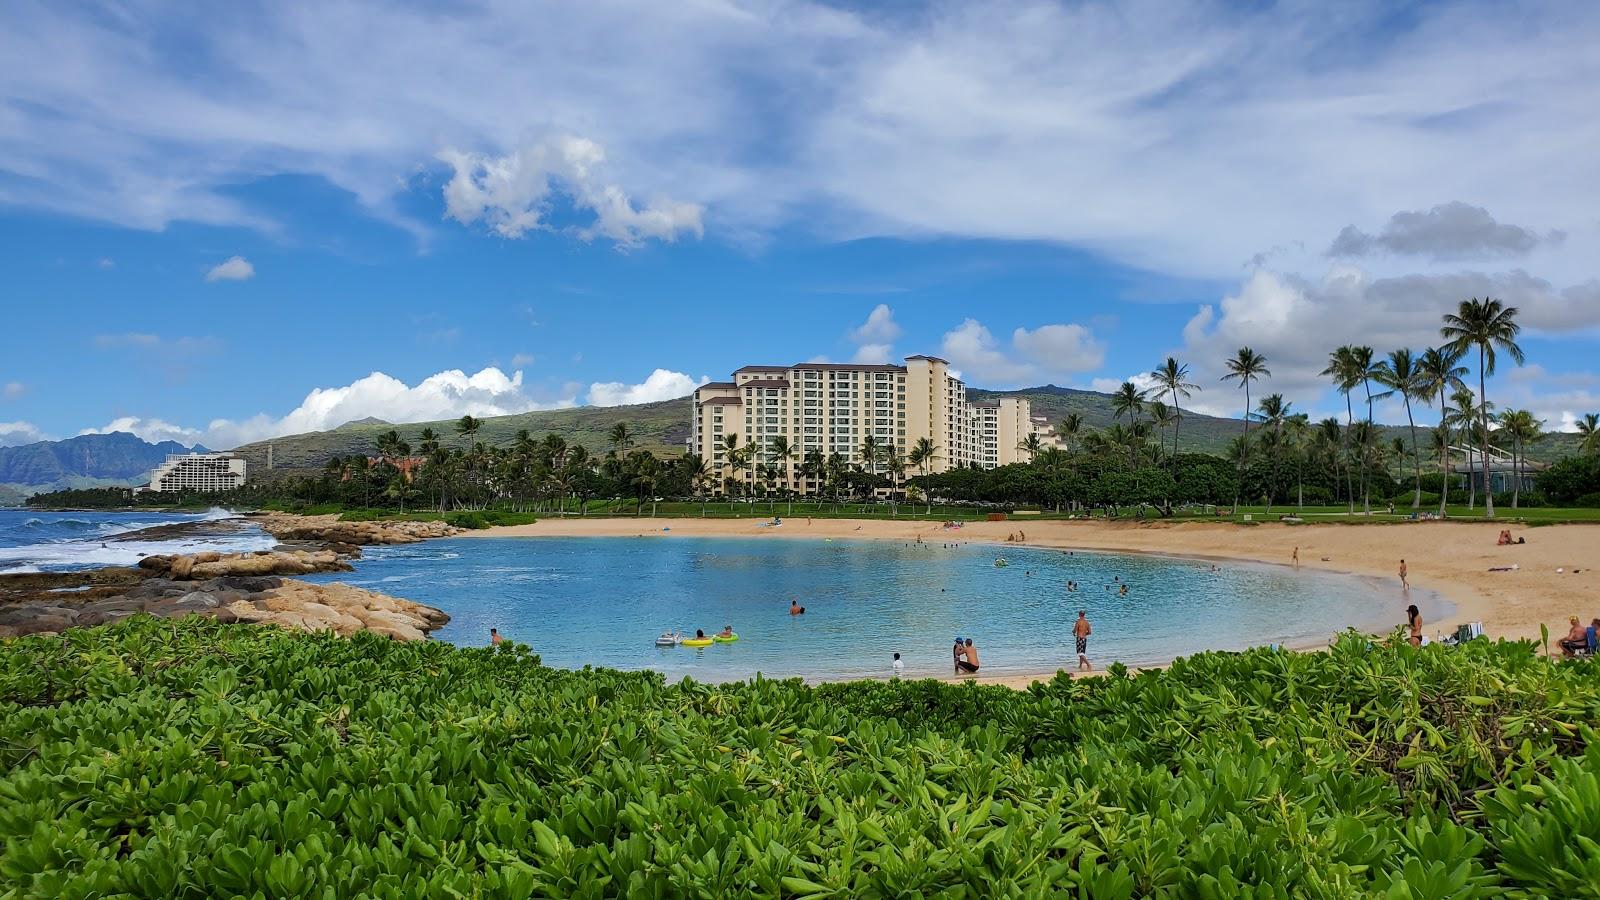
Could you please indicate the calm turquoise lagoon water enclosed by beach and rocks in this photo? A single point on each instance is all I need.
(602, 601)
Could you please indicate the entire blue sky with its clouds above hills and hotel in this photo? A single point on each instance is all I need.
(273, 220)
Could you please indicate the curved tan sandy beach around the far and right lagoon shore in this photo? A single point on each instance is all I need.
(1559, 568)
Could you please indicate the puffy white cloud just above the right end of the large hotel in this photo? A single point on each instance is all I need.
(1034, 355)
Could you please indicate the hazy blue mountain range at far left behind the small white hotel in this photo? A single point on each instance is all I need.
(89, 460)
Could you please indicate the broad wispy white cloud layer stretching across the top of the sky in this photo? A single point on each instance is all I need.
(1122, 127)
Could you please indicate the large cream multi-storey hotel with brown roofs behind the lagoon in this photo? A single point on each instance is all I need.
(834, 408)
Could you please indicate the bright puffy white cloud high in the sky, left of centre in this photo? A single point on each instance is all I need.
(514, 195)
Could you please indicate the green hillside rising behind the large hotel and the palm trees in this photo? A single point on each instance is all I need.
(665, 428)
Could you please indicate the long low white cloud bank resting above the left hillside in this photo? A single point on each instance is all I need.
(442, 396)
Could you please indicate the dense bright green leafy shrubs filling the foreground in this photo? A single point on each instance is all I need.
(166, 758)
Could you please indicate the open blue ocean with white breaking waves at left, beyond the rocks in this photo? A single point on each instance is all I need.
(58, 542)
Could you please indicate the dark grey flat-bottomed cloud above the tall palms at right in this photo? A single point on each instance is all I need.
(1450, 231)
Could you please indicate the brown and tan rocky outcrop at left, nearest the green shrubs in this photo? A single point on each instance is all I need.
(244, 587)
